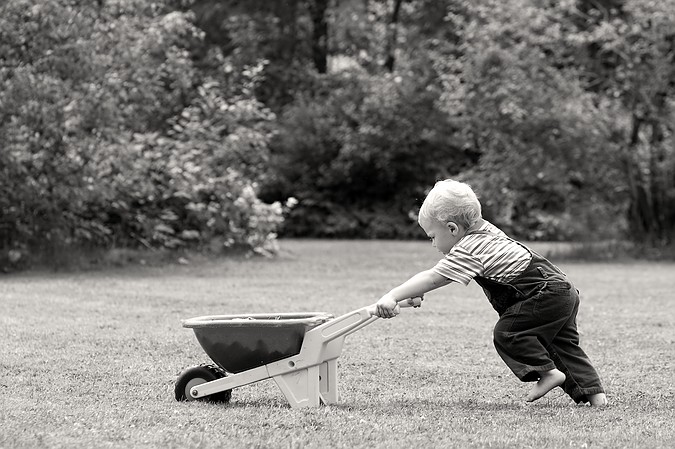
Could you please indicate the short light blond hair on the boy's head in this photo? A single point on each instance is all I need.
(451, 200)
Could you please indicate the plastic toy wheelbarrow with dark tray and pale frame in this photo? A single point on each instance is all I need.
(298, 350)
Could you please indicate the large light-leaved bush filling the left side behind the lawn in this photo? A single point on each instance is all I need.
(120, 139)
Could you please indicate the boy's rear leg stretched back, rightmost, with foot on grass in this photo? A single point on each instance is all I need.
(582, 381)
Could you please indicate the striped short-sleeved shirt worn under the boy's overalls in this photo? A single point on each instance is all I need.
(494, 256)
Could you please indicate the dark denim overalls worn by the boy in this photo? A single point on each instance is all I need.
(537, 329)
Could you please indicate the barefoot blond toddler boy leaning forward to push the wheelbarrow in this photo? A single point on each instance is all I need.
(536, 334)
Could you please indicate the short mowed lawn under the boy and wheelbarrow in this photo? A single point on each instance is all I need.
(90, 359)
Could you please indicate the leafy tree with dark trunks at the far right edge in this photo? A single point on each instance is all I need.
(628, 50)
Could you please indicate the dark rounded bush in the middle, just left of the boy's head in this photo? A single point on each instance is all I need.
(358, 153)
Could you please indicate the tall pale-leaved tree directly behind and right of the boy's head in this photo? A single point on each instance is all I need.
(541, 139)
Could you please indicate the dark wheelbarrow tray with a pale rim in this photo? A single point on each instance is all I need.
(237, 343)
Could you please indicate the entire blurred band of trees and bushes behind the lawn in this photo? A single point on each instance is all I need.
(191, 123)
